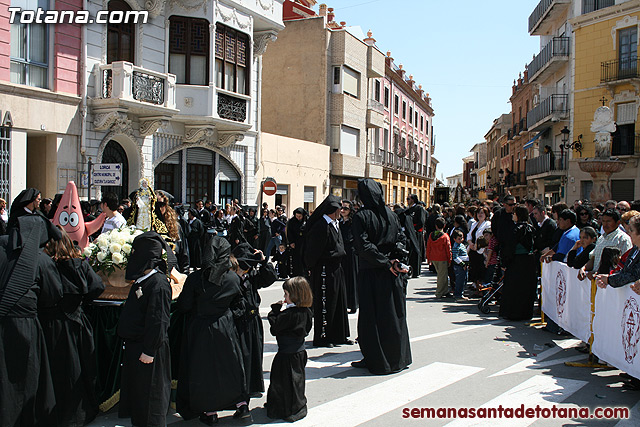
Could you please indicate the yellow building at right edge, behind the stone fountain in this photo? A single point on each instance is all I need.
(606, 73)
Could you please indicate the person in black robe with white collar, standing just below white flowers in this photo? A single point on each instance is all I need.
(145, 385)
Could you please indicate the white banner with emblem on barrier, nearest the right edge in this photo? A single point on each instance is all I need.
(616, 328)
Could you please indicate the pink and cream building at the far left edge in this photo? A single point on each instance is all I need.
(40, 88)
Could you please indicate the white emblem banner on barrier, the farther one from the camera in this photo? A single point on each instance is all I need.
(566, 300)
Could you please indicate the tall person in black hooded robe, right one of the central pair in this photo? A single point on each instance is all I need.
(383, 335)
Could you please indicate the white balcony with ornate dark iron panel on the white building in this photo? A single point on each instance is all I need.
(127, 82)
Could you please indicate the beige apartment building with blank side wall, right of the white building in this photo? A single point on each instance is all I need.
(318, 85)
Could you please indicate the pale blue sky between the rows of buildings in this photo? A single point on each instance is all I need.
(466, 59)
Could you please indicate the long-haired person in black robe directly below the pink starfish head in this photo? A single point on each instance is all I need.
(69, 337)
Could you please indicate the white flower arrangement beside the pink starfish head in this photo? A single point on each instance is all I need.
(111, 250)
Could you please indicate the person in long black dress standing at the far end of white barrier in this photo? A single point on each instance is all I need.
(520, 278)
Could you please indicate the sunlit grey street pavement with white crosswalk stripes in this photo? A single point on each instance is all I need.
(461, 358)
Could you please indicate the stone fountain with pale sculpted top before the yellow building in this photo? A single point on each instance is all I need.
(602, 166)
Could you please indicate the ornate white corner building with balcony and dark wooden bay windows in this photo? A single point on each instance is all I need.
(177, 100)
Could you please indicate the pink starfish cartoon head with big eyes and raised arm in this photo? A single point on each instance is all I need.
(69, 216)
